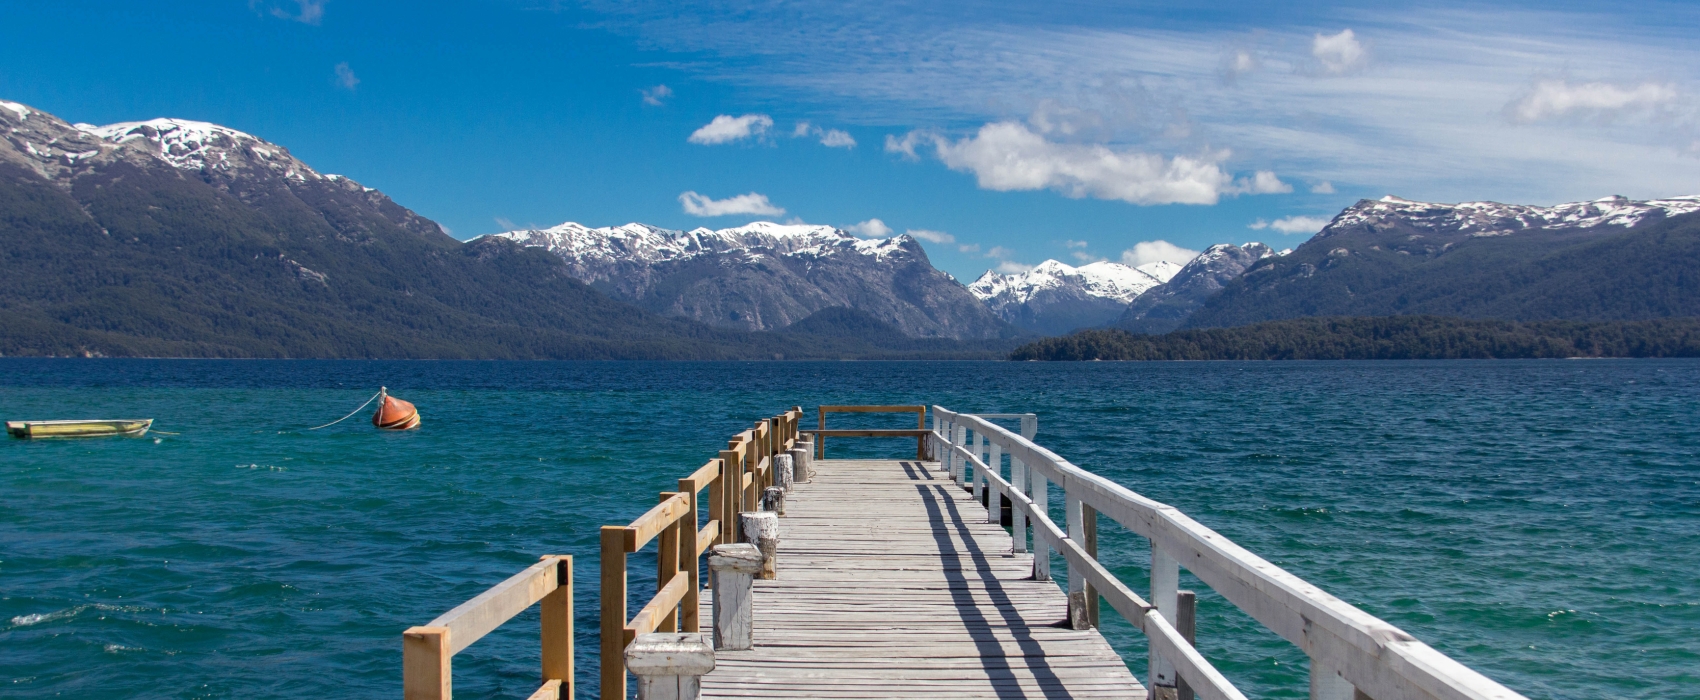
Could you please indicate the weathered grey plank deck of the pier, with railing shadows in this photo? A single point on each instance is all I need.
(892, 585)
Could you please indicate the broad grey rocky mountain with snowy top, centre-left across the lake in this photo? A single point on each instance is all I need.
(768, 276)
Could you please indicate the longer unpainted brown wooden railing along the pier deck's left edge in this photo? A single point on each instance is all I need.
(735, 482)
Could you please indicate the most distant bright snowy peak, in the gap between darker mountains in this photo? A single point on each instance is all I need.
(1055, 298)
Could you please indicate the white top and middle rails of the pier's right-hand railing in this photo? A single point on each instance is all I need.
(1378, 658)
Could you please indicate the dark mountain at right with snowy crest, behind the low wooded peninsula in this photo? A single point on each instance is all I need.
(1606, 261)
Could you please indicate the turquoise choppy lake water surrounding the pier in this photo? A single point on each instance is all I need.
(1538, 521)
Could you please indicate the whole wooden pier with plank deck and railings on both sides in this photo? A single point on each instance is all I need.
(895, 580)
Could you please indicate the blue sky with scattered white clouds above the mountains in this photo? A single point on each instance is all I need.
(1004, 133)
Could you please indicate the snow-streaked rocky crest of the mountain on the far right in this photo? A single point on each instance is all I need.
(1483, 220)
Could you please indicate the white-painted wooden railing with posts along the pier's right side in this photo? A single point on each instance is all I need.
(1354, 655)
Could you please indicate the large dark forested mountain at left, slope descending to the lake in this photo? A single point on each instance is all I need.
(178, 239)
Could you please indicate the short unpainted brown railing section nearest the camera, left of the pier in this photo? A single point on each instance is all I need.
(428, 652)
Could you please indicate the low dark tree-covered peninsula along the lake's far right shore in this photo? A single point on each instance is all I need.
(1381, 339)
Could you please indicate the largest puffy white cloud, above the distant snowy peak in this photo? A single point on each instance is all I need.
(1011, 157)
